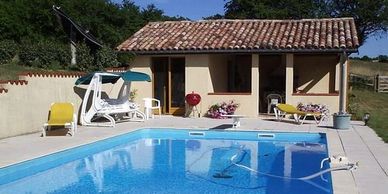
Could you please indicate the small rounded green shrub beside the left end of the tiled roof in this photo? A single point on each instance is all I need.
(106, 57)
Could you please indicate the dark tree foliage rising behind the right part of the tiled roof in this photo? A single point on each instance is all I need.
(370, 16)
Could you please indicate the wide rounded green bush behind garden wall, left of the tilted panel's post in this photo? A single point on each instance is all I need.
(44, 54)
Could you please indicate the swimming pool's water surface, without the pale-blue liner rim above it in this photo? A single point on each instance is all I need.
(178, 166)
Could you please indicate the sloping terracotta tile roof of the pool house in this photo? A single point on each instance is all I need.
(329, 34)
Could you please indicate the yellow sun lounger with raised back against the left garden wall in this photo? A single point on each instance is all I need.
(61, 114)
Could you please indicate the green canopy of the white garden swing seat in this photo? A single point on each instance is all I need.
(127, 76)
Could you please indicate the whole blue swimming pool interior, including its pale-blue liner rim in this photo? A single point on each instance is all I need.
(179, 161)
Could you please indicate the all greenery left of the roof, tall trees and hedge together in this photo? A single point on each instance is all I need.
(32, 24)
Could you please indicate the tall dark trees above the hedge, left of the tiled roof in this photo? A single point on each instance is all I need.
(111, 23)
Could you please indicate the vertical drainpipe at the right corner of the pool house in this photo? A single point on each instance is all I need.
(342, 89)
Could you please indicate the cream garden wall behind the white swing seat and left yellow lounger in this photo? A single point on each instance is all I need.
(24, 108)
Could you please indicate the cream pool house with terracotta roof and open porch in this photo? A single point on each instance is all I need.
(244, 60)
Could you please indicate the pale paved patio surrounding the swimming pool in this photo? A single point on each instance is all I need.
(360, 143)
